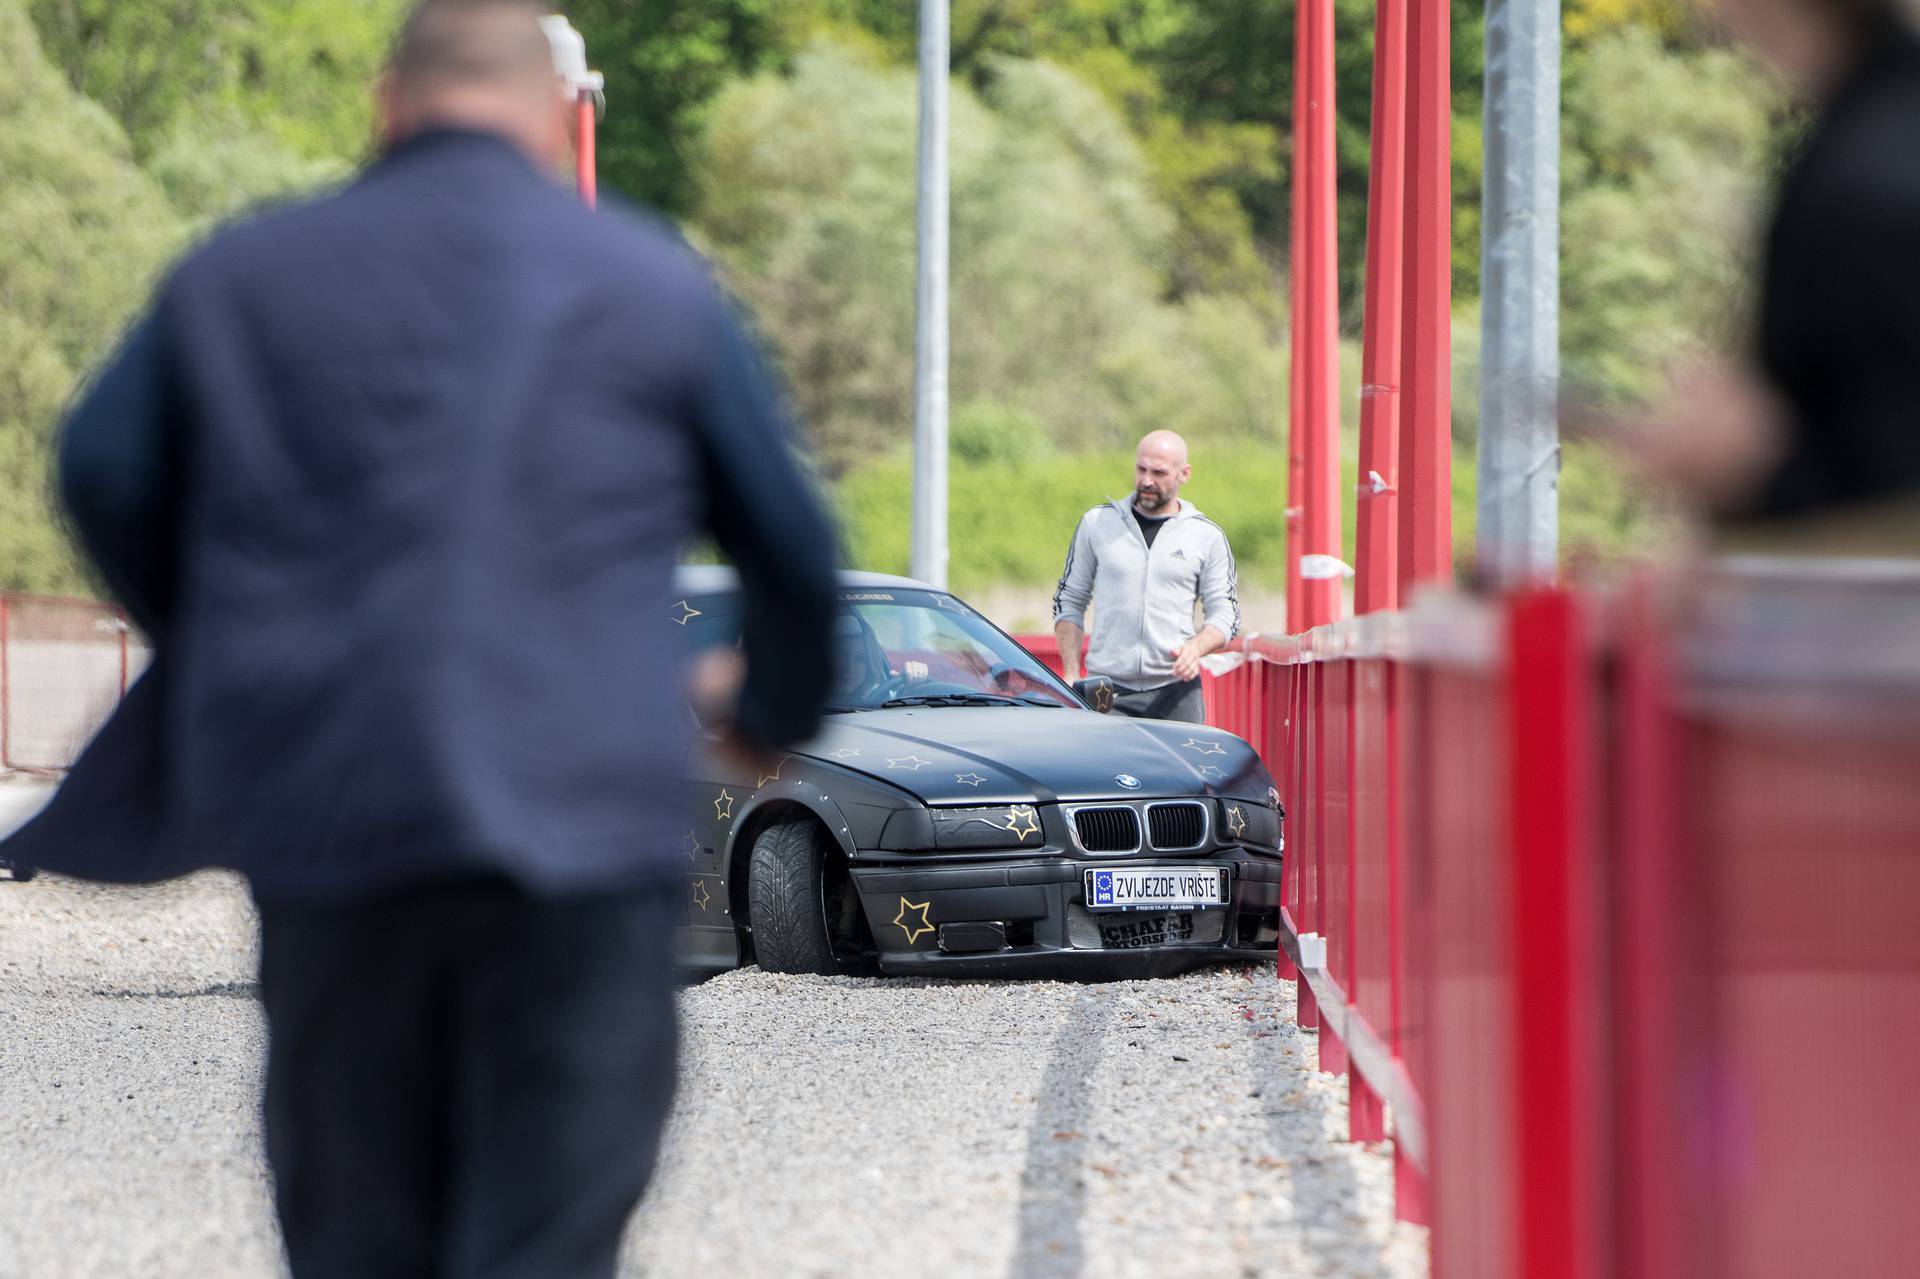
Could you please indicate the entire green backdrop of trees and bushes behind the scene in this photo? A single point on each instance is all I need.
(1118, 239)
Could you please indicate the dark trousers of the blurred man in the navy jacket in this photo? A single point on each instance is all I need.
(466, 1082)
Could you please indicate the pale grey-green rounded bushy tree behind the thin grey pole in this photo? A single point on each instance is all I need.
(1059, 260)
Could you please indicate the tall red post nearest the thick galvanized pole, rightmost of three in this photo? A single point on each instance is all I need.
(1426, 504)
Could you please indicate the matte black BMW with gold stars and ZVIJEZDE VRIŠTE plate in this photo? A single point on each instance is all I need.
(967, 813)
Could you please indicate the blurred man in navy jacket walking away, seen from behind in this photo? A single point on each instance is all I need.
(396, 483)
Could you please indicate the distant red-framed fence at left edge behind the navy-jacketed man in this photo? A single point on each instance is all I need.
(64, 665)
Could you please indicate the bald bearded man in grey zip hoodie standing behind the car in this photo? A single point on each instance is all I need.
(1145, 566)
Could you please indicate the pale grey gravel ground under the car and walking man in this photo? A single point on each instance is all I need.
(827, 1126)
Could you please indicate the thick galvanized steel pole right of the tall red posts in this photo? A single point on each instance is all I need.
(1520, 295)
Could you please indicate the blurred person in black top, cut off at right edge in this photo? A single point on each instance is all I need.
(1817, 446)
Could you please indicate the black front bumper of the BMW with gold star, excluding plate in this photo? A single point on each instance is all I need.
(1028, 919)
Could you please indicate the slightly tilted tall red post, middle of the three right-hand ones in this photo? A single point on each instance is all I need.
(1376, 535)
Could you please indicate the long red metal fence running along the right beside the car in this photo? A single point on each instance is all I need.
(1616, 902)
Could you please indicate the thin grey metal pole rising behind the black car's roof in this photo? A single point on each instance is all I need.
(930, 312)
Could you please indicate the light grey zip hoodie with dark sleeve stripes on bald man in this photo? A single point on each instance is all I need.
(1143, 598)
